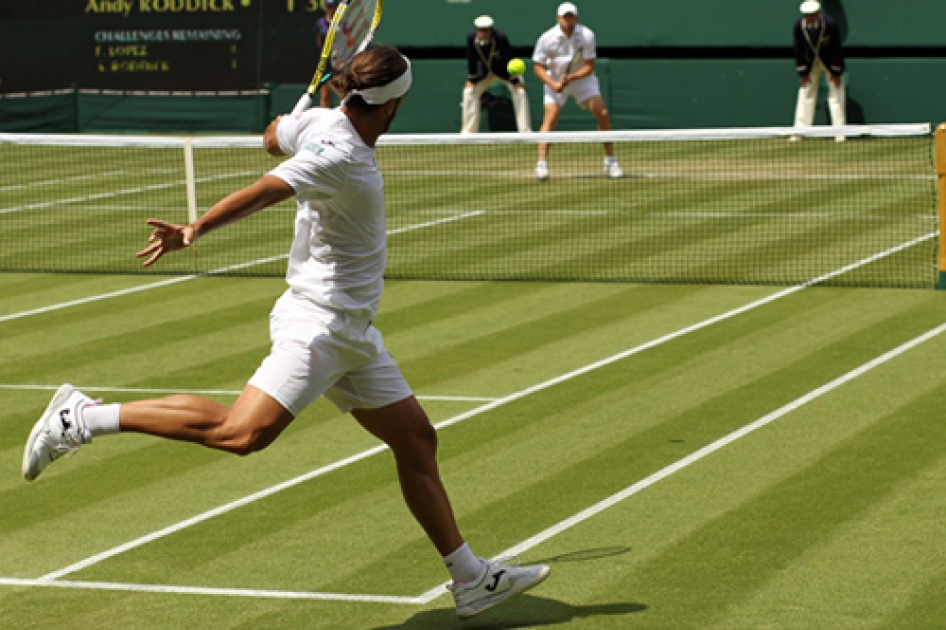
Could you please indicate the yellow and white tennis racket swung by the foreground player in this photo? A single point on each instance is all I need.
(352, 29)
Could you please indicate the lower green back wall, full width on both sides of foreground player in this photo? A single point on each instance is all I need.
(641, 94)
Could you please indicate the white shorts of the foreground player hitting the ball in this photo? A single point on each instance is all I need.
(317, 350)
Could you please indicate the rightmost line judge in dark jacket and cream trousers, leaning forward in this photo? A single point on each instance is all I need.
(817, 43)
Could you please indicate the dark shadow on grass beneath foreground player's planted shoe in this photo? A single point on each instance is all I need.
(523, 611)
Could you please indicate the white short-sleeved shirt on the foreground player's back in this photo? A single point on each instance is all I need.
(339, 251)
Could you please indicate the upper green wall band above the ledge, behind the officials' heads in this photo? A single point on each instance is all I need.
(686, 23)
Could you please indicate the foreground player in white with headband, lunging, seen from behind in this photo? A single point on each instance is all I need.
(324, 342)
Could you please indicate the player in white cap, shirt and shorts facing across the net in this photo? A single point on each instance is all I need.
(565, 62)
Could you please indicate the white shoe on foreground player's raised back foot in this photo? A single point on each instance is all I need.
(59, 431)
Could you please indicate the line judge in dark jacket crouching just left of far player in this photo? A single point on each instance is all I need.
(487, 54)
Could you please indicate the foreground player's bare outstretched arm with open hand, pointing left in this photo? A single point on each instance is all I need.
(168, 237)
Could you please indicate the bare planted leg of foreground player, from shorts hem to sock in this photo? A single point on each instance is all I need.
(405, 428)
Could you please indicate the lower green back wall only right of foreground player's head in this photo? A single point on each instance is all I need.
(681, 94)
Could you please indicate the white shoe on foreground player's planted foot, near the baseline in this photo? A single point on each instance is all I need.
(500, 580)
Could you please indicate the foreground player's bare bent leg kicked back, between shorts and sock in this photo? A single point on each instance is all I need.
(250, 425)
